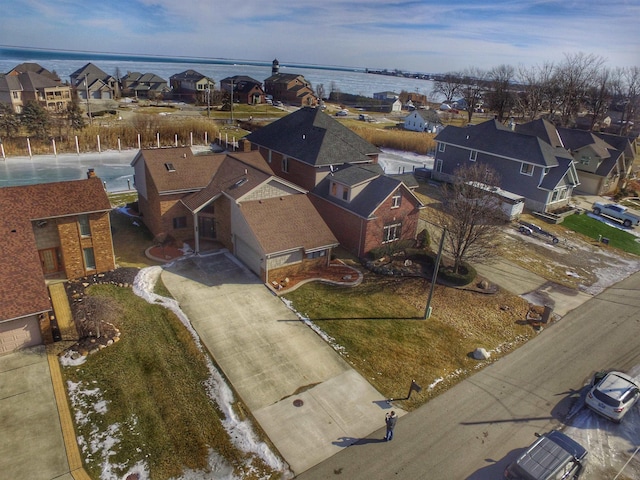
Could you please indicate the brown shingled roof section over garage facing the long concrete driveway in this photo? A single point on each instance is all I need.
(287, 223)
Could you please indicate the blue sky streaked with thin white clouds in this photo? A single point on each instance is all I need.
(416, 36)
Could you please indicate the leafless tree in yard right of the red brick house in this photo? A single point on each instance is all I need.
(471, 211)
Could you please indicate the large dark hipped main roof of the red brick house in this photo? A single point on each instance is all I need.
(313, 137)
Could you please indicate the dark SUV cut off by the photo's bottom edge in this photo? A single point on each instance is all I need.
(553, 456)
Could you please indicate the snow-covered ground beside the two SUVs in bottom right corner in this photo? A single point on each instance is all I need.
(613, 448)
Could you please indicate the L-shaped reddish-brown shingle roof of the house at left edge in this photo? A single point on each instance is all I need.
(21, 278)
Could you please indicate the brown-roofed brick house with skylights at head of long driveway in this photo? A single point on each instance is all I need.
(234, 200)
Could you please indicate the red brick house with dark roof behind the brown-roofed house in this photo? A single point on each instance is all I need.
(363, 207)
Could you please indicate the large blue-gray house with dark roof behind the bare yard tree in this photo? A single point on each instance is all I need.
(528, 165)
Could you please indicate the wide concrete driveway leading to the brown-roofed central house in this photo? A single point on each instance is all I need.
(307, 399)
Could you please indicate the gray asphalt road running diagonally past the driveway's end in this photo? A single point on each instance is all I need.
(476, 428)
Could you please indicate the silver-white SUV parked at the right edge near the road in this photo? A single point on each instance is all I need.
(613, 395)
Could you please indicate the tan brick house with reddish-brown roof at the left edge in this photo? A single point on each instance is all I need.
(44, 239)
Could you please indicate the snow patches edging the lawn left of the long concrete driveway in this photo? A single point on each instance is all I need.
(88, 403)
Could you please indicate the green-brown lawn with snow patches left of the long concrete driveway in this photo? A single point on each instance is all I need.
(144, 400)
